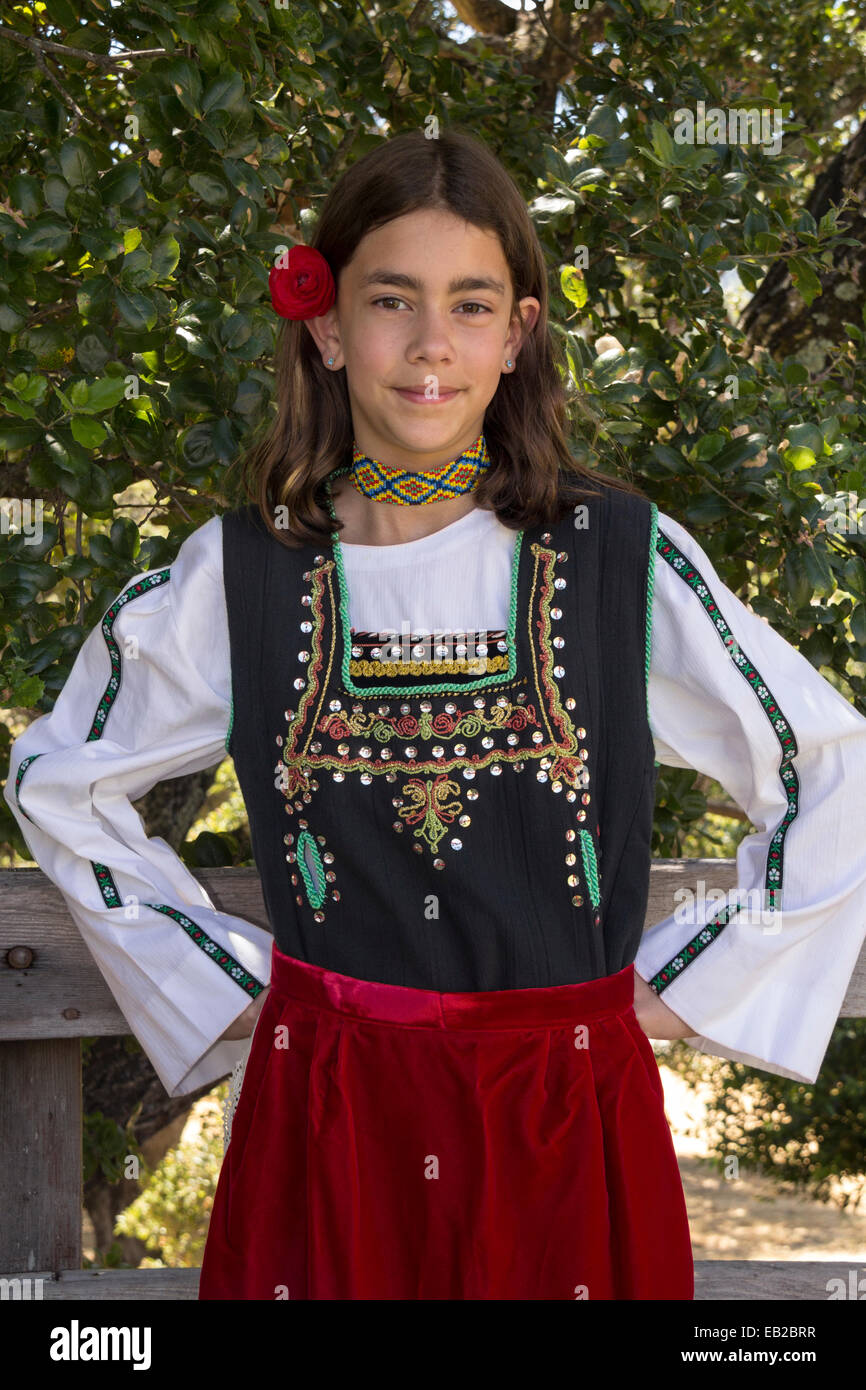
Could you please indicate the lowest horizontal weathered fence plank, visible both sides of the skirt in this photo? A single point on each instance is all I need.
(733, 1281)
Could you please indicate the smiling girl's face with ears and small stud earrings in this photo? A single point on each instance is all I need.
(423, 326)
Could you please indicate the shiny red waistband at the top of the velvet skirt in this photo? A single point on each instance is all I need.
(432, 1008)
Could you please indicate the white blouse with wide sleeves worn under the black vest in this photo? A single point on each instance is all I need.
(765, 990)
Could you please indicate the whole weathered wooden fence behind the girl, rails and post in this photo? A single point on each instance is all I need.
(52, 996)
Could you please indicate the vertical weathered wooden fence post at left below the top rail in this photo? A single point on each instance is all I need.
(41, 1157)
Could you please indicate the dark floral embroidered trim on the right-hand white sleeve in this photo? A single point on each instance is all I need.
(785, 735)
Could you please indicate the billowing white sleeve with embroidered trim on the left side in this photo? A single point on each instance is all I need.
(148, 698)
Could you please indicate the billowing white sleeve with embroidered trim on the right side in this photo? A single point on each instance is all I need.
(761, 976)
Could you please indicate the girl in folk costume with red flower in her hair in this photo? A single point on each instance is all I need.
(447, 662)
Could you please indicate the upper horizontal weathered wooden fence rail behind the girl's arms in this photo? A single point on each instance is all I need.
(63, 993)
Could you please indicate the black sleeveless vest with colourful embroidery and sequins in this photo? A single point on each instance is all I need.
(462, 825)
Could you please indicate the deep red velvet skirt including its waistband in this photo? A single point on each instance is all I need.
(400, 1143)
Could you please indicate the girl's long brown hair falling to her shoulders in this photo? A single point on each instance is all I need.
(533, 477)
